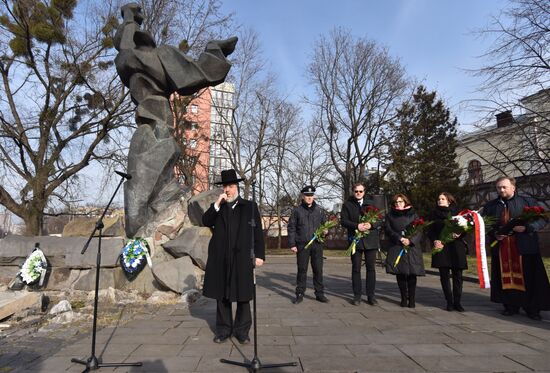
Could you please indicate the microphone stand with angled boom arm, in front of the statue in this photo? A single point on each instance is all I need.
(93, 363)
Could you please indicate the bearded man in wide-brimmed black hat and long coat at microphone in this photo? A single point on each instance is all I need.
(229, 269)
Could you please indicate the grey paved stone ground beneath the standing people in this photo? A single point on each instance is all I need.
(333, 337)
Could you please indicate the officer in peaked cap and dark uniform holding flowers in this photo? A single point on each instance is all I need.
(303, 222)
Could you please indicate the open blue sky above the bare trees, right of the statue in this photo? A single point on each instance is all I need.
(434, 39)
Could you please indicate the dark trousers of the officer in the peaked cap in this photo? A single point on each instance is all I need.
(303, 256)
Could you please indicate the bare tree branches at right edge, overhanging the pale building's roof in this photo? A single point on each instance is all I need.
(516, 77)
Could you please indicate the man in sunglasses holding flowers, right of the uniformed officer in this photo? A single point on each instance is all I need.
(363, 234)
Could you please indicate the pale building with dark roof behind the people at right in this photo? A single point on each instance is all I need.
(517, 146)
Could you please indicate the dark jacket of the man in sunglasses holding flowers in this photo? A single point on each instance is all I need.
(349, 218)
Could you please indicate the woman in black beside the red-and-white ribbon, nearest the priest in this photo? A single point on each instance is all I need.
(452, 257)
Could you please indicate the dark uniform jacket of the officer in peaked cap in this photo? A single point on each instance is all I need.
(303, 222)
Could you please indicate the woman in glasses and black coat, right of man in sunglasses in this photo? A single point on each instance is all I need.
(411, 264)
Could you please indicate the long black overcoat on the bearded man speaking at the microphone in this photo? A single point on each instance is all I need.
(237, 275)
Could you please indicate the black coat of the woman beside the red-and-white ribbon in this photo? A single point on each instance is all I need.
(453, 254)
